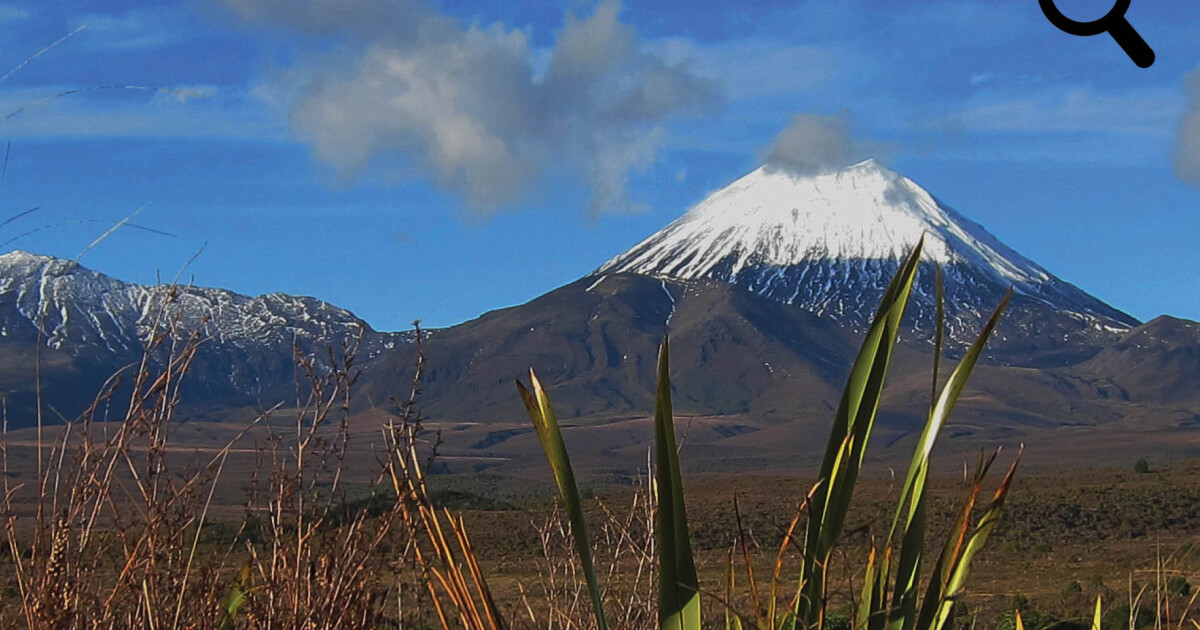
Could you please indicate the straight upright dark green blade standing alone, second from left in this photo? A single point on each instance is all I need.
(679, 585)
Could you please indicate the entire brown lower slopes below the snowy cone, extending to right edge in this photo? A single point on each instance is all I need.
(760, 380)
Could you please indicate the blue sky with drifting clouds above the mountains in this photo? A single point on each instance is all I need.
(435, 160)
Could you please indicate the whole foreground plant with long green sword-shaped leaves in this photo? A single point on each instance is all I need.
(891, 595)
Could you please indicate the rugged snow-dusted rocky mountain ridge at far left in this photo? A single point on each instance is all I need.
(92, 326)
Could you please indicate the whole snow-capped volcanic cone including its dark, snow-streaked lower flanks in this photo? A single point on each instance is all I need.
(831, 243)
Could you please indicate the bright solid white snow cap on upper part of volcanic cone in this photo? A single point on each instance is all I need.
(775, 218)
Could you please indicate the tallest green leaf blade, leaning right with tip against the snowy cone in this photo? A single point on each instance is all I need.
(848, 440)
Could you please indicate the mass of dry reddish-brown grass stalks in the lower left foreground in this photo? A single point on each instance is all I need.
(113, 531)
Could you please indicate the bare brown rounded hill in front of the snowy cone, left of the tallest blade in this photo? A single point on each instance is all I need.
(596, 345)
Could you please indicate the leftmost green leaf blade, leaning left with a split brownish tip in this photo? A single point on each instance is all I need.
(550, 436)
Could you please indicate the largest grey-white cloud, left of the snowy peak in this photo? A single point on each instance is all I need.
(475, 105)
